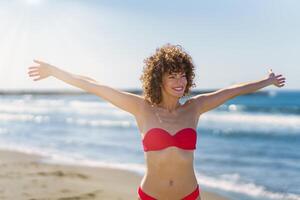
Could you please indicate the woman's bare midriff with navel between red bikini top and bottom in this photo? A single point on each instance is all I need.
(169, 174)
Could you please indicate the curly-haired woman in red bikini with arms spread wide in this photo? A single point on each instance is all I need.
(168, 129)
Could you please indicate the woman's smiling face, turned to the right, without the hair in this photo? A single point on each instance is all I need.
(174, 84)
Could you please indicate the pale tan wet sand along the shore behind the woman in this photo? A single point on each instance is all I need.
(23, 176)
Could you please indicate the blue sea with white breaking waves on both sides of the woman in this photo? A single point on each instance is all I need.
(247, 149)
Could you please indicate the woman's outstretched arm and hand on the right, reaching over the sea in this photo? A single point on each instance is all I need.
(209, 101)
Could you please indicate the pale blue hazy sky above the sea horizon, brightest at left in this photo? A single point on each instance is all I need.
(231, 42)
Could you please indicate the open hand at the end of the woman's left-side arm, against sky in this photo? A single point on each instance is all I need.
(41, 71)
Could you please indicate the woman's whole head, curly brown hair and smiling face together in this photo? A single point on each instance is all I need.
(168, 58)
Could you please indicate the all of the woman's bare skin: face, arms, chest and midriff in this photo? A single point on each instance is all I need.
(169, 172)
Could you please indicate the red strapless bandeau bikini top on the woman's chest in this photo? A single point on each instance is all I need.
(157, 138)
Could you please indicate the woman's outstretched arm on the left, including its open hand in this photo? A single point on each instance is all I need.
(126, 101)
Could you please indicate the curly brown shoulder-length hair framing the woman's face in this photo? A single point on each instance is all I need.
(167, 59)
